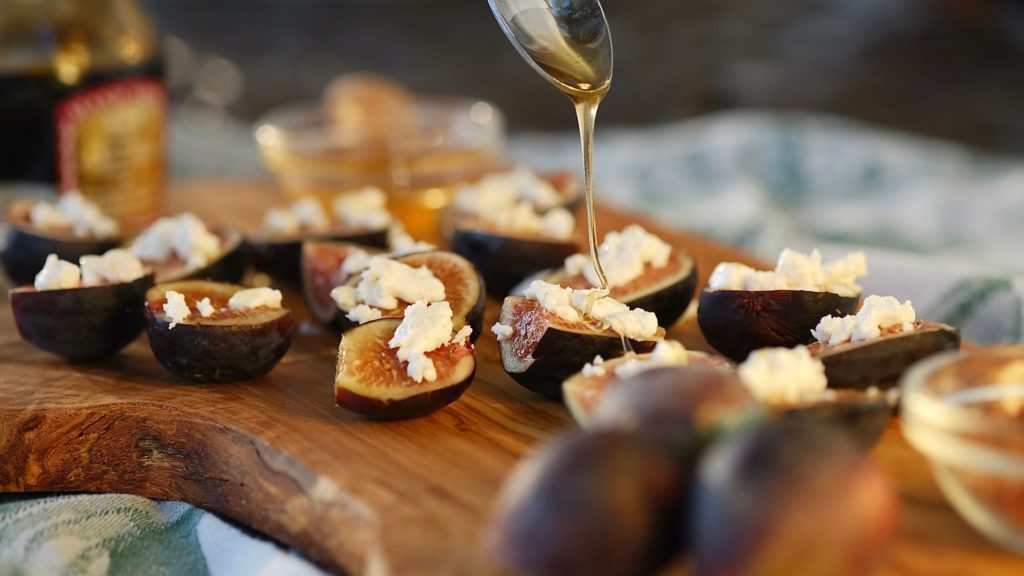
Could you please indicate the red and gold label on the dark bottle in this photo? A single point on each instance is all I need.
(111, 146)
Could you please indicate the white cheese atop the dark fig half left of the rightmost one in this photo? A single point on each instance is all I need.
(795, 272)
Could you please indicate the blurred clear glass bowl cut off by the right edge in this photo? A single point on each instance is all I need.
(966, 414)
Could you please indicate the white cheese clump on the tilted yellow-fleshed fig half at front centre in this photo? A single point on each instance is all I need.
(425, 328)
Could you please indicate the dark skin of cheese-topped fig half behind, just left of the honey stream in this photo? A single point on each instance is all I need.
(505, 261)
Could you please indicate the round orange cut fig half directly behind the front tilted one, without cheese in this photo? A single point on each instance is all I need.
(463, 290)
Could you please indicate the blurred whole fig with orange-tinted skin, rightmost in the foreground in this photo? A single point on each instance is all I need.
(789, 499)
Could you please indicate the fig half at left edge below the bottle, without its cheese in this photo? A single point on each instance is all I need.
(26, 246)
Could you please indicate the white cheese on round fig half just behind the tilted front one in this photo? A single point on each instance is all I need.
(385, 282)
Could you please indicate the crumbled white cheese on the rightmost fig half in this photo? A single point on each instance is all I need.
(876, 315)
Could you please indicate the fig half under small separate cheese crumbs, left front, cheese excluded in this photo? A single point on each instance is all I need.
(229, 346)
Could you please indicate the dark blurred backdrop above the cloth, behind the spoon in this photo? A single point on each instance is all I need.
(953, 69)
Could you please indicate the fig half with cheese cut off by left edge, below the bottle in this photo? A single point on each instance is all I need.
(71, 229)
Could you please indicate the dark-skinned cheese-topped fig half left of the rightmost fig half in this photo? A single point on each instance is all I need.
(743, 310)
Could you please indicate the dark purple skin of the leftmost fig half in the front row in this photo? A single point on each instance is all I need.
(82, 324)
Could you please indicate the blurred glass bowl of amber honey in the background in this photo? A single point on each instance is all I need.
(448, 141)
